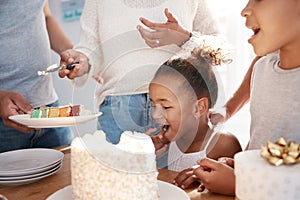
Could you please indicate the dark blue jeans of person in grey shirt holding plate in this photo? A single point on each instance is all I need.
(12, 139)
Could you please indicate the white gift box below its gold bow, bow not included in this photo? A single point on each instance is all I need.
(256, 179)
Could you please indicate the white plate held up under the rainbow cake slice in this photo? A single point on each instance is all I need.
(52, 122)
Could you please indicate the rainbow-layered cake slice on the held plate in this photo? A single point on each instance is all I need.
(52, 112)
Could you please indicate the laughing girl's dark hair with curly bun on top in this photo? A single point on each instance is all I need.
(194, 62)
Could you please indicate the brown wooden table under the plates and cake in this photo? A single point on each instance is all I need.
(45, 187)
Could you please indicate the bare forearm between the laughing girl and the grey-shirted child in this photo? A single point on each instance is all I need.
(242, 95)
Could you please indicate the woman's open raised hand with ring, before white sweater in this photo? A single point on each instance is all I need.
(160, 34)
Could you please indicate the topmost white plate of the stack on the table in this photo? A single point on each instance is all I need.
(27, 161)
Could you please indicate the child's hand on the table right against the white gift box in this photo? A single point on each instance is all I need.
(216, 176)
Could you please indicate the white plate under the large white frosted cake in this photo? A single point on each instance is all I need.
(166, 190)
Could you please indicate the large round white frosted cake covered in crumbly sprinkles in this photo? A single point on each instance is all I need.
(101, 170)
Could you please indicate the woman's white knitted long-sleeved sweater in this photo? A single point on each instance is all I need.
(111, 41)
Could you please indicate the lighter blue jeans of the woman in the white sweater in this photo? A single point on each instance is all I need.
(125, 113)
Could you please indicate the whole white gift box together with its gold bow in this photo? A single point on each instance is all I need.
(257, 178)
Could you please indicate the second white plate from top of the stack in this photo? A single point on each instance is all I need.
(29, 180)
